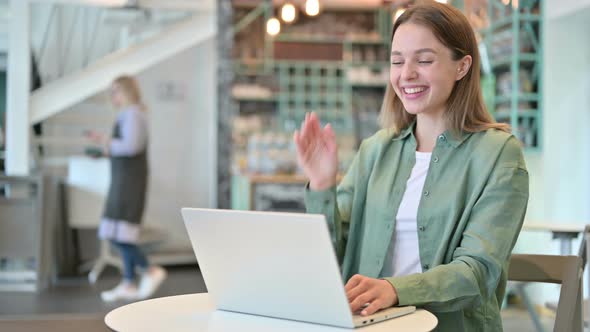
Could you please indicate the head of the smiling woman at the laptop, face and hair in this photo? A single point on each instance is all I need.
(444, 55)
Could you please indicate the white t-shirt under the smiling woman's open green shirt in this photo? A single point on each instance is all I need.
(403, 256)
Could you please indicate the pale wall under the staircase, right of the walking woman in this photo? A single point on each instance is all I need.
(182, 138)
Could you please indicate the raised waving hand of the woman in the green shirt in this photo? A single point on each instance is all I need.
(317, 152)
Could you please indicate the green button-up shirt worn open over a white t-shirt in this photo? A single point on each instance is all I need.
(472, 209)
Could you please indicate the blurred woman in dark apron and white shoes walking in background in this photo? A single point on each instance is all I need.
(125, 203)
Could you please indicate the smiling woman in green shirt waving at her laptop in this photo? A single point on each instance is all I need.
(430, 209)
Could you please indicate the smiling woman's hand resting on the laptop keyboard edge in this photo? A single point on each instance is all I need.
(377, 293)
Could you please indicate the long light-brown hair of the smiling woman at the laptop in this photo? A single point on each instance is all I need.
(466, 110)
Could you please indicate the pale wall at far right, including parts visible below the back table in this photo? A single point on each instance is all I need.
(560, 174)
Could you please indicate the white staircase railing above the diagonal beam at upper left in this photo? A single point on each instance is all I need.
(66, 38)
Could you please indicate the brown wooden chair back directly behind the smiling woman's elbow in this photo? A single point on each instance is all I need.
(564, 270)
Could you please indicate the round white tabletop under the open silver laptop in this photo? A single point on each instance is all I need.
(196, 313)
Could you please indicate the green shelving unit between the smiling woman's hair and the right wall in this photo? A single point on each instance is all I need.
(513, 40)
